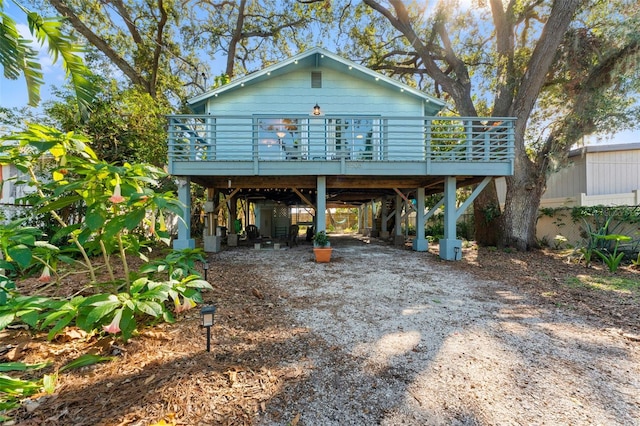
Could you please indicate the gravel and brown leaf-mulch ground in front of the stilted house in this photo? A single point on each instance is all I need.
(381, 335)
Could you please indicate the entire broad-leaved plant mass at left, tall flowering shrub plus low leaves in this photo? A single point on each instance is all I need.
(121, 210)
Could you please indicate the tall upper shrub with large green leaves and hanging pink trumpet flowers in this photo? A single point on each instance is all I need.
(118, 201)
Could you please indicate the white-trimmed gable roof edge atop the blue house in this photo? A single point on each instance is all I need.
(316, 57)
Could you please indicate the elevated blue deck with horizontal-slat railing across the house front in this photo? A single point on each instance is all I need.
(207, 148)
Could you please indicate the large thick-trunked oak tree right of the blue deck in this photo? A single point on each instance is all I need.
(556, 66)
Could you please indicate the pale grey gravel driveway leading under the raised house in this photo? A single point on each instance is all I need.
(401, 337)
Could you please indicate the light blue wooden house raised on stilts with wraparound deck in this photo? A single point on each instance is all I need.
(317, 130)
